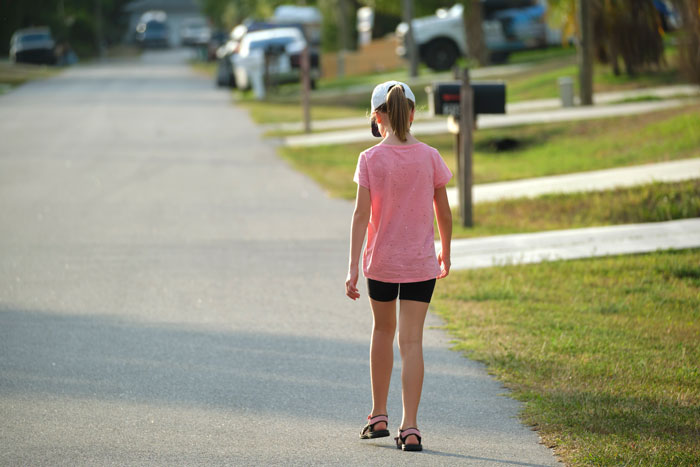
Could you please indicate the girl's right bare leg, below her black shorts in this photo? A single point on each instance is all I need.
(411, 319)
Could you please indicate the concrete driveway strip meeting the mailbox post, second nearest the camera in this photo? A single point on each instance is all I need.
(596, 180)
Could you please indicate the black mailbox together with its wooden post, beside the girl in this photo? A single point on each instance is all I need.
(462, 101)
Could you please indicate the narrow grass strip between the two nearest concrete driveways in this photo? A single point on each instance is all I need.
(646, 203)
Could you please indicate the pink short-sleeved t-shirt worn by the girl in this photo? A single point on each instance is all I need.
(400, 236)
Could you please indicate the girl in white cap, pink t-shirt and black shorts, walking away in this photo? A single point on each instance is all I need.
(399, 181)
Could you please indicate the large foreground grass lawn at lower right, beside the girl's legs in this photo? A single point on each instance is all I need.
(603, 352)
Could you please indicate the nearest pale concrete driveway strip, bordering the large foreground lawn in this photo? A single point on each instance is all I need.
(555, 245)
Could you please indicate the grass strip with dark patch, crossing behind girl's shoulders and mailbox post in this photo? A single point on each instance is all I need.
(543, 149)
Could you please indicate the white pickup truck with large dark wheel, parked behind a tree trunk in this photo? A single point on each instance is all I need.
(508, 25)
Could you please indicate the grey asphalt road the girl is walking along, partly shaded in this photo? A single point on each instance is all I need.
(171, 293)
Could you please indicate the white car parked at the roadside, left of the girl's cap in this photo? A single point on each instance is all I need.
(274, 52)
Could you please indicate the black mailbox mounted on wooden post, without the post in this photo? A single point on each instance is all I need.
(489, 98)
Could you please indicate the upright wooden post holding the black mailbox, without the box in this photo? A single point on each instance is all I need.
(466, 126)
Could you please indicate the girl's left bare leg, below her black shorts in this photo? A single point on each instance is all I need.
(381, 354)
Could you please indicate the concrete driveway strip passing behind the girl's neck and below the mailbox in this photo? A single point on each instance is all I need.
(432, 127)
